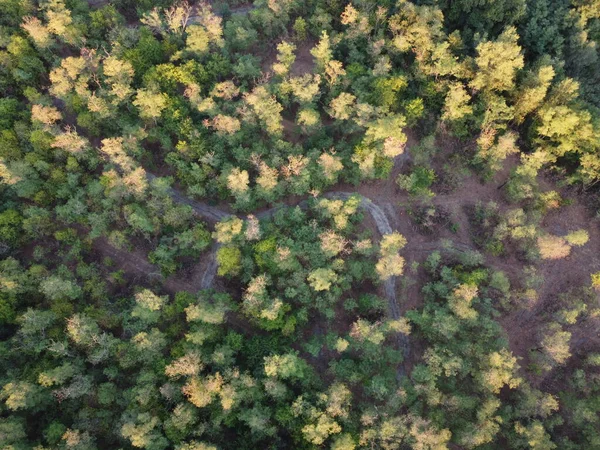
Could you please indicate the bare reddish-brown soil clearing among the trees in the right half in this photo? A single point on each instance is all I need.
(559, 275)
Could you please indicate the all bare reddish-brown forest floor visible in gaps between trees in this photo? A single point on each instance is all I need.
(521, 325)
